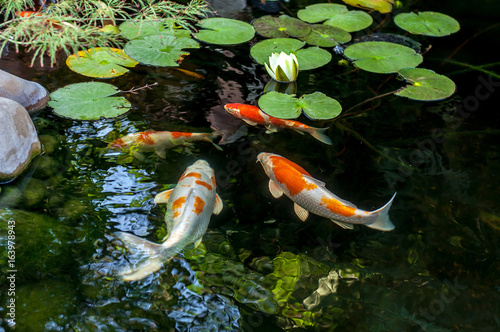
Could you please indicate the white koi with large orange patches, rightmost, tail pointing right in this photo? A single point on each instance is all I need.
(310, 195)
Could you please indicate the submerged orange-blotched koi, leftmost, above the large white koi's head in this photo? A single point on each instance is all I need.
(159, 141)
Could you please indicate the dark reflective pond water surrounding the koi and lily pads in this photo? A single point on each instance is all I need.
(259, 267)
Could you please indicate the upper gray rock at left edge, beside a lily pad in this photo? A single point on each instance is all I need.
(31, 95)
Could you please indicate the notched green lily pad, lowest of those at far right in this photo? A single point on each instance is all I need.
(425, 85)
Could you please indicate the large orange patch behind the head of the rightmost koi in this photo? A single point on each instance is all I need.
(291, 175)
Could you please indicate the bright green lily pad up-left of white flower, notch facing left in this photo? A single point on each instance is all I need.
(224, 31)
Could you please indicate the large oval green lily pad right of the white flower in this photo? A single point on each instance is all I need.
(382, 57)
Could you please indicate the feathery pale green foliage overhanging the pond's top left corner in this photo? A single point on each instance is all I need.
(70, 26)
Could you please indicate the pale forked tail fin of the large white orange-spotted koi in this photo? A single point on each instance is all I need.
(145, 257)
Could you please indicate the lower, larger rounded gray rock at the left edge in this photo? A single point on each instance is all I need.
(19, 141)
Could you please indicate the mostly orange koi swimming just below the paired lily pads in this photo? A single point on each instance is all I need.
(254, 116)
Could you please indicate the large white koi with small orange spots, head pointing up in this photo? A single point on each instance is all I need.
(189, 208)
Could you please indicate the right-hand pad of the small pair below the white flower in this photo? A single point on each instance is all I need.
(318, 106)
